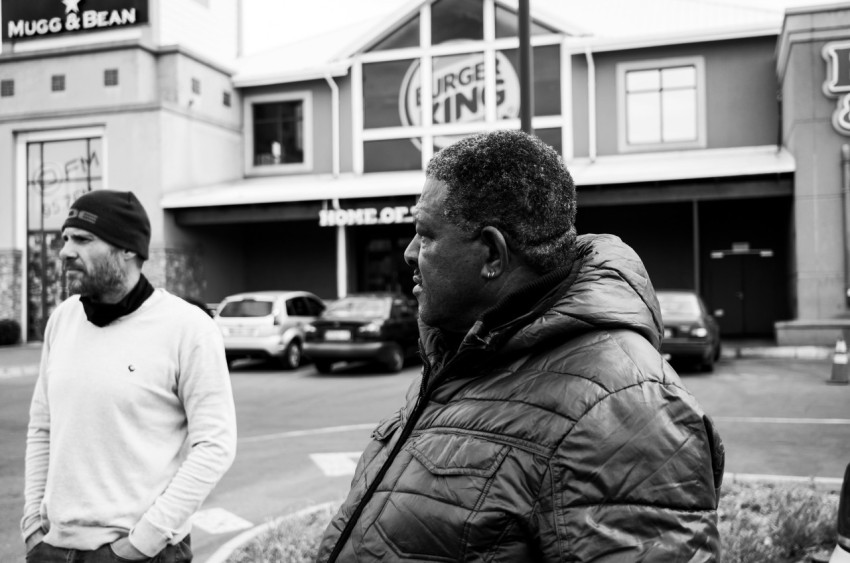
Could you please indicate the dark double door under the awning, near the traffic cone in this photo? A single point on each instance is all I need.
(742, 292)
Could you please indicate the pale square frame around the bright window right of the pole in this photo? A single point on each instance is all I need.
(622, 68)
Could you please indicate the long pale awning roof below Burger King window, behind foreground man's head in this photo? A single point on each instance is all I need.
(604, 170)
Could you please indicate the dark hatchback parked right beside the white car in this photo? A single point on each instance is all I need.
(379, 327)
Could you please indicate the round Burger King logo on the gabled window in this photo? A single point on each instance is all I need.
(458, 92)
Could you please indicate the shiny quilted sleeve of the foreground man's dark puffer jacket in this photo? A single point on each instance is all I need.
(634, 480)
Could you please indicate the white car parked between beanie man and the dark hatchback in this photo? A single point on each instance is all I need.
(267, 324)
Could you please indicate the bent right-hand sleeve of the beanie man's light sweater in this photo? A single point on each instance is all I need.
(205, 392)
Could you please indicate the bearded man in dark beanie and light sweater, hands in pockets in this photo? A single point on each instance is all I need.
(132, 420)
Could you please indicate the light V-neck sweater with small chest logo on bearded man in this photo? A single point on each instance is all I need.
(131, 425)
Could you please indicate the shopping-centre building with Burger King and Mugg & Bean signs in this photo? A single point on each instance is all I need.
(717, 156)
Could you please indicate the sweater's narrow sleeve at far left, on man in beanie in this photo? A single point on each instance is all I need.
(37, 452)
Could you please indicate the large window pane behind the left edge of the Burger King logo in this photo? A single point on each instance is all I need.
(381, 96)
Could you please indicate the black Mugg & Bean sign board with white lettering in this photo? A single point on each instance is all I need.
(45, 18)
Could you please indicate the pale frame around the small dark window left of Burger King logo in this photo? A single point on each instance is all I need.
(306, 99)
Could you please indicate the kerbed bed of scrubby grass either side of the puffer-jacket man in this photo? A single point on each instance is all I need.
(758, 523)
